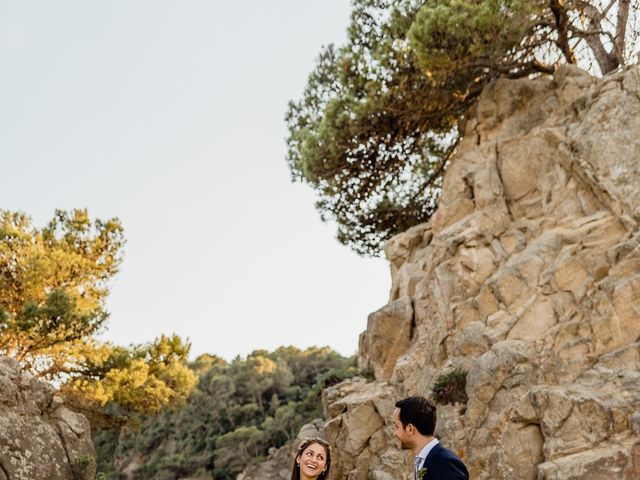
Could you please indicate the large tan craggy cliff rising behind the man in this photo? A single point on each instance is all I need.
(528, 278)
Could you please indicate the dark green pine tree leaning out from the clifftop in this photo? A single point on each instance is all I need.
(378, 120)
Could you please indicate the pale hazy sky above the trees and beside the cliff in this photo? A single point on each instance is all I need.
(170, 116)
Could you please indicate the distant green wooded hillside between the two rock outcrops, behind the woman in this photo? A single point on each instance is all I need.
(238, 411)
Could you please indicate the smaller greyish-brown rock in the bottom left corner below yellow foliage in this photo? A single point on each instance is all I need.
(40, 438)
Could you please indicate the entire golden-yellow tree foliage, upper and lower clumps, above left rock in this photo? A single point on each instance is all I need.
(53, 284)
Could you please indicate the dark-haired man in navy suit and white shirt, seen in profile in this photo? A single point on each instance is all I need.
(415, 421)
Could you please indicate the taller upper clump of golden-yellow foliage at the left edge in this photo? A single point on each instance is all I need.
(53, 282)
